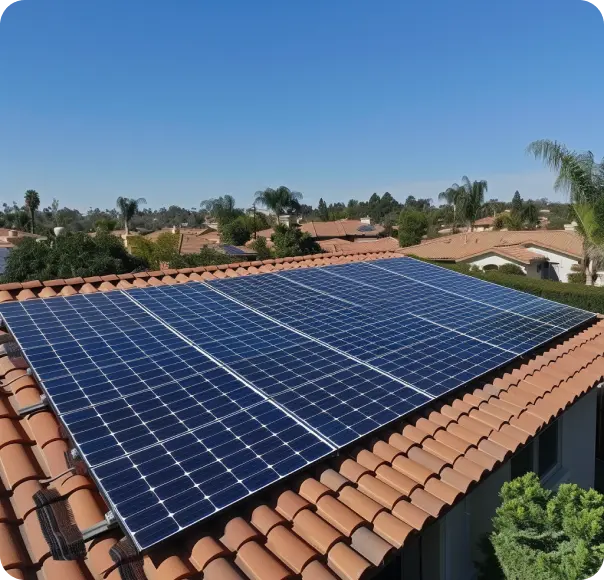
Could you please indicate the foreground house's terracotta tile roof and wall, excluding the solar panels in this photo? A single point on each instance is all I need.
(411, 502)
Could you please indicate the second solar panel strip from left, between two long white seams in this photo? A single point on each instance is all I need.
(338, 397)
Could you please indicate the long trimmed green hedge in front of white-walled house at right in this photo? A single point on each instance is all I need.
(586, 297)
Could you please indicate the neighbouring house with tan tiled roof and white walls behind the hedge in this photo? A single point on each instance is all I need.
(549, 254)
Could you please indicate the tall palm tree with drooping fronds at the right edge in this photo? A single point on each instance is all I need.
(582, 177)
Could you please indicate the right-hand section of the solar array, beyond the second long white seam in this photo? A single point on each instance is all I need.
(431, 339)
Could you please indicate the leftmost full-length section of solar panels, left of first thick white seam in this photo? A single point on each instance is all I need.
(170, 436)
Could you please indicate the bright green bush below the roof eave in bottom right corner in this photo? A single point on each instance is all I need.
(541, 535)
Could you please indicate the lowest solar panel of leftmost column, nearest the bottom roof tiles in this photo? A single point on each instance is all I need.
(186, 480)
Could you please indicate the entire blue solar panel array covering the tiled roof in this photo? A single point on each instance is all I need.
(186, 399)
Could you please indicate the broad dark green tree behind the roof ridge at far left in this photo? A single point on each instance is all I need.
(69, 256)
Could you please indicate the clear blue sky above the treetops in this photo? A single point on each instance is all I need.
(181, 101)
